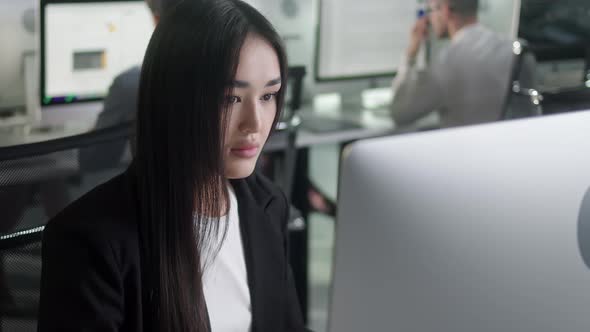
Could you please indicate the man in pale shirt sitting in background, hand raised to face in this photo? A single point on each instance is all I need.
(467, 83)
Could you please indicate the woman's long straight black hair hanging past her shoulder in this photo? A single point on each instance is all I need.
(189, 64)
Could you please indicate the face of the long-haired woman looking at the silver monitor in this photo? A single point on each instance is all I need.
(252, 106)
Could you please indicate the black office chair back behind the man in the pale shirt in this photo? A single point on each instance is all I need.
(522, 99)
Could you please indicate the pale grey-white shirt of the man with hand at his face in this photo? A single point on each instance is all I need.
(467, 83)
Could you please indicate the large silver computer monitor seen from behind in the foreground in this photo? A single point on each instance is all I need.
(480, 228)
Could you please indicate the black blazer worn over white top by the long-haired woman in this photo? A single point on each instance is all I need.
(91, 275)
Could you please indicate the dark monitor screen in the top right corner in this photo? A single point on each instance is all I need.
(556, 30)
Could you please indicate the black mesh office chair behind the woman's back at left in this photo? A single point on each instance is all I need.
(36, 182)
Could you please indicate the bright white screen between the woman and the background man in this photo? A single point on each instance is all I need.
(359, 39)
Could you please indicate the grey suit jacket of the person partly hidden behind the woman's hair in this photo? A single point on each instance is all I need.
(120, 106)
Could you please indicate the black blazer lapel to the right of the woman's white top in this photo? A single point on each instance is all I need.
(264, 256)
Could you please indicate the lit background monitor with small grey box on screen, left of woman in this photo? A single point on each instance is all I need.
(86, 44)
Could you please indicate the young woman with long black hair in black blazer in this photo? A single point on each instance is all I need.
(188, 238)
